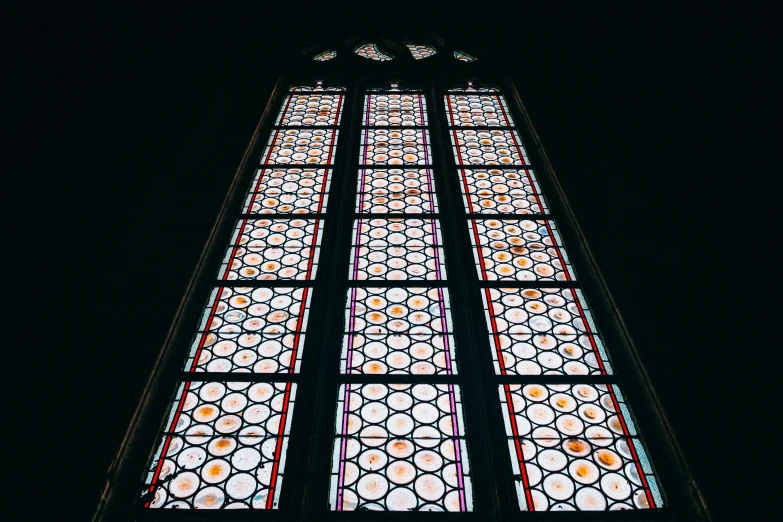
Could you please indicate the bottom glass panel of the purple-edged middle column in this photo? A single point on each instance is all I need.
(400, 447)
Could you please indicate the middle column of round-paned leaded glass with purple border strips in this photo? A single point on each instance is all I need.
(398, 447)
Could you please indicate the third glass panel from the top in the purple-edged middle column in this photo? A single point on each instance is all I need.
(385, 191)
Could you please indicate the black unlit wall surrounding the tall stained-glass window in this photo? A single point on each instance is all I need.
(127, 123)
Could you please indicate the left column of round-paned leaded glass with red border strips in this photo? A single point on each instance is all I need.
(224, 443)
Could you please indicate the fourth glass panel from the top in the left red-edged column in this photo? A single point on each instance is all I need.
(273, 249)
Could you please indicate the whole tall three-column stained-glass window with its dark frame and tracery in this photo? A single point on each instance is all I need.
(397, 312)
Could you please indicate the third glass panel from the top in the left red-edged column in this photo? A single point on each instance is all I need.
(288, 191)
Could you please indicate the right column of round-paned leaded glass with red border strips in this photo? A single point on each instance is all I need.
(573, 446)
